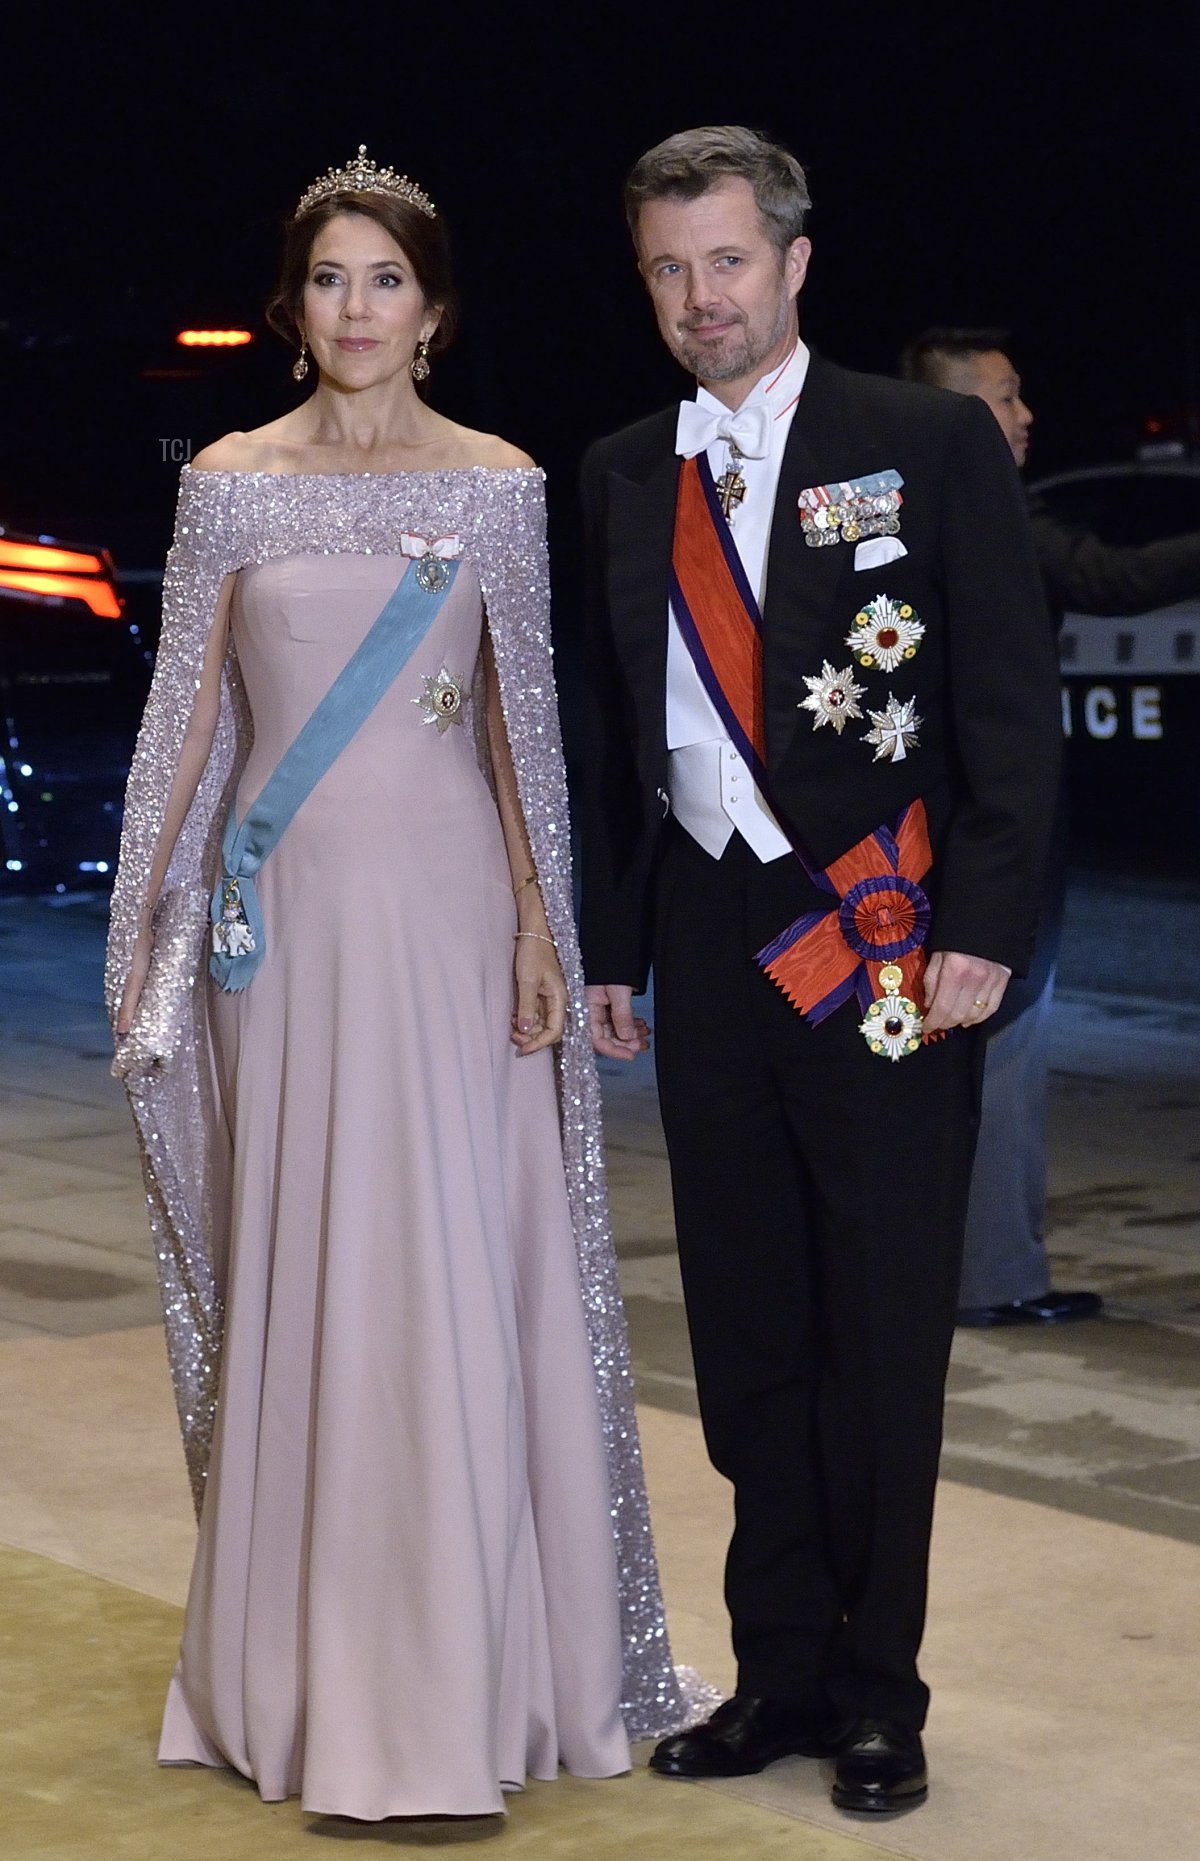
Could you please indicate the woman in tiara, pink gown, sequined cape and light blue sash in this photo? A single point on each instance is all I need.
(341, 961)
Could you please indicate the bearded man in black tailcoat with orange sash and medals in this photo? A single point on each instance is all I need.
(820, 768)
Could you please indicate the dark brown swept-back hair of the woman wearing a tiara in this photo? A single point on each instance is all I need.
(421, 239)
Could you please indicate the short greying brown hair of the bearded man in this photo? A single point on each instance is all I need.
(691, 163)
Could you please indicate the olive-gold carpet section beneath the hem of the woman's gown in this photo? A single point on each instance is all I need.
(79, 1717)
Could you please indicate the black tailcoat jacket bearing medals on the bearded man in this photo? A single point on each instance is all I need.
(985, 676)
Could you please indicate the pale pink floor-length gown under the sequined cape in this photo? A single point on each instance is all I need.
(405, 1594)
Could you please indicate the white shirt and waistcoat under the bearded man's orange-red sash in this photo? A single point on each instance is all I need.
(712, 790)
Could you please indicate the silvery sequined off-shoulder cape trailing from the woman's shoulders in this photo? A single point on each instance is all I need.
(228, 522)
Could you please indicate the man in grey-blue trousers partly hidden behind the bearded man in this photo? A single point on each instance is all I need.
(1006, 1276)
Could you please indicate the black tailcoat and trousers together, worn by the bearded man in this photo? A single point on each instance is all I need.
(821, 1190)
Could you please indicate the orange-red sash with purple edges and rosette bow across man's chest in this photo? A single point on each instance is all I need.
(879, 913)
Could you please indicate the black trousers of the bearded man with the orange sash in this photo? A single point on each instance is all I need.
(820, 1205)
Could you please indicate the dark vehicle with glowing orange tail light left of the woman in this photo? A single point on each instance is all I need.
(96, 429)
